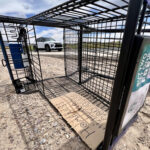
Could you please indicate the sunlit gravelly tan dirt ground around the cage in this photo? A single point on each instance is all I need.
(28, 122)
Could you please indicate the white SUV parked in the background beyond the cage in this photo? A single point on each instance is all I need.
(49, 44)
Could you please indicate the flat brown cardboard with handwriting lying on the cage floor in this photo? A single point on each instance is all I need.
(86, 119)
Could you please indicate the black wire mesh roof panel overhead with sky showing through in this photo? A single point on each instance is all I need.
(80, 12)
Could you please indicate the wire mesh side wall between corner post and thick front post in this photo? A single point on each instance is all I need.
(100, 53)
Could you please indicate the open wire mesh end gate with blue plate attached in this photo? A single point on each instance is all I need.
(24, 63)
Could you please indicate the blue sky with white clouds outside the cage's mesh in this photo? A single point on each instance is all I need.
(28, 8)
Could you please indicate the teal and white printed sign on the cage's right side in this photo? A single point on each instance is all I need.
(141, 82)
